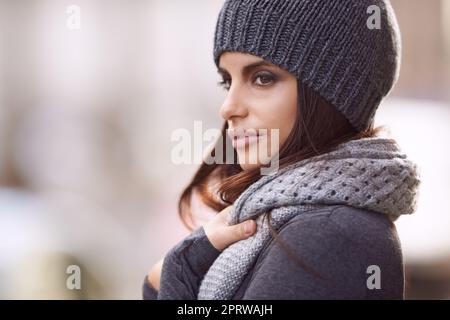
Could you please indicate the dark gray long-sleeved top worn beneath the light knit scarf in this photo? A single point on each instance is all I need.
(346, 253)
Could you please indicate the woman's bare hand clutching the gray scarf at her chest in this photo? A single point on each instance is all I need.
(221, 235)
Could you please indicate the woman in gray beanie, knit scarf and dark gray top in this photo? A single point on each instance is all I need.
(320, 226)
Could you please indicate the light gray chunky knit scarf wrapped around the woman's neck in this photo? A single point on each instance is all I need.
(369, 173)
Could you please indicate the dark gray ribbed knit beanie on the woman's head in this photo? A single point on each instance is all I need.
(332, 46)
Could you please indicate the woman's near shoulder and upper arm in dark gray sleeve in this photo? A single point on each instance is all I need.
(328, 253)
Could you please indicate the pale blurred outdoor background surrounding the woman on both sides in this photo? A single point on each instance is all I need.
(86, 116)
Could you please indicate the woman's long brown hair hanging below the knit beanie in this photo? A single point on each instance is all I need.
(318, 128)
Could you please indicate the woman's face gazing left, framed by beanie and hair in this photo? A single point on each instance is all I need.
(260, 106)
